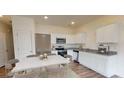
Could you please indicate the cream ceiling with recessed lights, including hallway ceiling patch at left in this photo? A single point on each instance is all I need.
(58, 20)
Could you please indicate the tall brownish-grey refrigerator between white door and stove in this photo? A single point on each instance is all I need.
(42, 43)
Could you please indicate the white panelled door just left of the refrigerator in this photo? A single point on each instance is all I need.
(24, 42)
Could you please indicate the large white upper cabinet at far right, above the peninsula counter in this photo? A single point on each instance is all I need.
(107, 34)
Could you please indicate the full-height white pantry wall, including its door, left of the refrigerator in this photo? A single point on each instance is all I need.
(23, 32)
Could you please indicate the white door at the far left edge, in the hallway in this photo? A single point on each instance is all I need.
(3, 56)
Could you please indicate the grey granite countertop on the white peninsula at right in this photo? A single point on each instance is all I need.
(110, 53)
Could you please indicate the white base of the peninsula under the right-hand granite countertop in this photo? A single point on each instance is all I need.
(104, 65)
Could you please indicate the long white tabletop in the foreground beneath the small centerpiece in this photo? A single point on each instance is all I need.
(35, 62)
